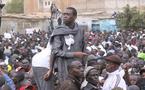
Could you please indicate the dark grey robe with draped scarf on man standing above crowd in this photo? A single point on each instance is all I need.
(64, 56)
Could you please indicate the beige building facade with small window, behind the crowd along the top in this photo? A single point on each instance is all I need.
(85, 7)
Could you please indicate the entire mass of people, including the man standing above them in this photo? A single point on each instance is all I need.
(82, 60)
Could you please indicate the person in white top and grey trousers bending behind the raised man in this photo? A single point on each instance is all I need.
(40, 66)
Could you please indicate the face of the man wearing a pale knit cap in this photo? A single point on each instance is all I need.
(93, 77)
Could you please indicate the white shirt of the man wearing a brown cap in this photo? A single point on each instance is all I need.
(113, 78)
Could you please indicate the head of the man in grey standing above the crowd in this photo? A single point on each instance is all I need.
(69, 15)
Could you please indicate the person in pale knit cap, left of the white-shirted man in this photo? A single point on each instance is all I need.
(92, 77)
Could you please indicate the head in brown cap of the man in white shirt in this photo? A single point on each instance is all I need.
(112, 63)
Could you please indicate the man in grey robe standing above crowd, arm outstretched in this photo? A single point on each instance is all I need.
(67, 43)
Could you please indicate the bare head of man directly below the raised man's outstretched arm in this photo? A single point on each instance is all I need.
(76, 69)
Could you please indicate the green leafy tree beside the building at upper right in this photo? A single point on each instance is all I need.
(130, 18)
